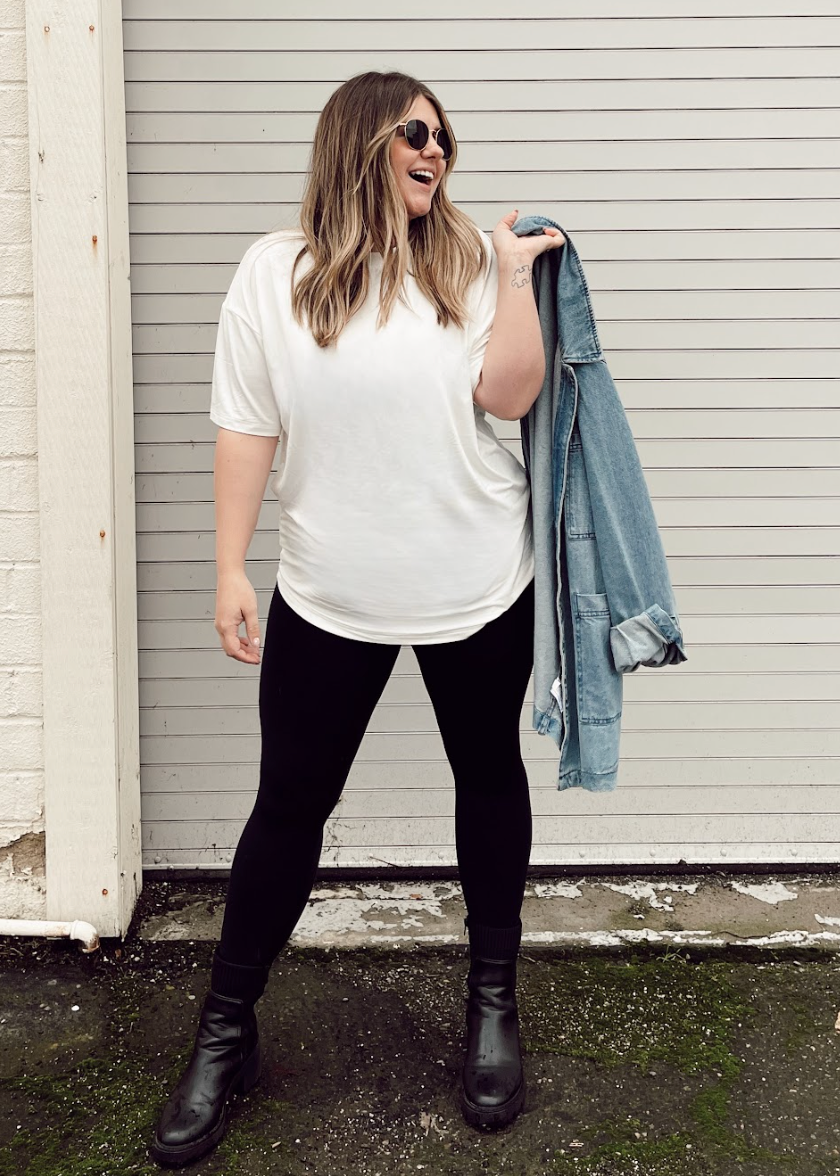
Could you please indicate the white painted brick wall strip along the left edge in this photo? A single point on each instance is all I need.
(22, 754)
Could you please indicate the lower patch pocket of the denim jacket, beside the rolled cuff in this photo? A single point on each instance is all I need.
(599, 684)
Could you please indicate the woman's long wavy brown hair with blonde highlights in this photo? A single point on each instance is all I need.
(354, 206)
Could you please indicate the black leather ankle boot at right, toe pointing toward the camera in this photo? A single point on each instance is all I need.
(492, 1081)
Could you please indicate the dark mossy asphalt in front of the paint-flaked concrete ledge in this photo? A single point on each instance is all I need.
(638, 1065)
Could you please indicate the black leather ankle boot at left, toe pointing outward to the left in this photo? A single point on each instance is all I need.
(225, 1061)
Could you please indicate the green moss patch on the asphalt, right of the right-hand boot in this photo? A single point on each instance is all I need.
(651, 1012)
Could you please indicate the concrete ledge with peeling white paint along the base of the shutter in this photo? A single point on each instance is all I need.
(765, 912)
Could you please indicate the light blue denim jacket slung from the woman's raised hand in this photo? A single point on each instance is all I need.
(604, 602)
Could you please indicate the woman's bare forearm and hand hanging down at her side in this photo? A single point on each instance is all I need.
(243, 464)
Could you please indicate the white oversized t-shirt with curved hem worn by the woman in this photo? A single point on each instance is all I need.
(404, 520)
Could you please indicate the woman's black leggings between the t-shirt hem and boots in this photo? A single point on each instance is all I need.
(317, 694)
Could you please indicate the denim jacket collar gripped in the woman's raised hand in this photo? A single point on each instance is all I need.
(577, 331)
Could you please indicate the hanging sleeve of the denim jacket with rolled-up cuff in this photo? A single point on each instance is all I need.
(645, 629)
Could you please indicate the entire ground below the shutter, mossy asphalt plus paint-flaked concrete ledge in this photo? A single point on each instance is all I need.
(671, 1027)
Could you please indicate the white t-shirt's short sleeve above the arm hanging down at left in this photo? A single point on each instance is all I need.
(242, 398)
